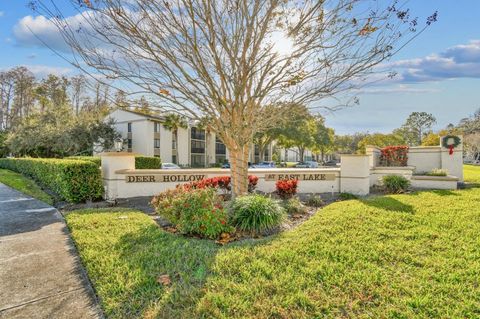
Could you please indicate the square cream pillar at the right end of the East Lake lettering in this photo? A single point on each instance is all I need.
(355, 174)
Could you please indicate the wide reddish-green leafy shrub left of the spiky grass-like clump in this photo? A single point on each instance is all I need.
(193, 211)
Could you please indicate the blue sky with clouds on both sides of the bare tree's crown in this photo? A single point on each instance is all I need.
(439, 71)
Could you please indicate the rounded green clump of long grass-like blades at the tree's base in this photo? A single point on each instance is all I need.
(256, 213)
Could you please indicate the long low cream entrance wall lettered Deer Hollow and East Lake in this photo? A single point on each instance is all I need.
(356, 174)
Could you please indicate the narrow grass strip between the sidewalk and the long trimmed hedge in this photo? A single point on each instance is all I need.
(24, 185)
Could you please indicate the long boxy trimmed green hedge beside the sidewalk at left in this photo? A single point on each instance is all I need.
(73, 180)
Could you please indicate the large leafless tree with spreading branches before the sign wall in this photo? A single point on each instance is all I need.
(226, 59)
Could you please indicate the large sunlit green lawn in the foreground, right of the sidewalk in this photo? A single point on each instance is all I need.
(399, 256)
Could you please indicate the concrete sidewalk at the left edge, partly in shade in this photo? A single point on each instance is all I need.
(40, 272)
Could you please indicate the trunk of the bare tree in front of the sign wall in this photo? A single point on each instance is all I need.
(238, 157)
